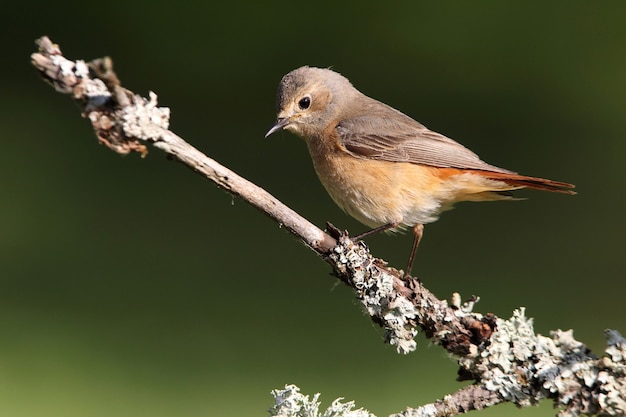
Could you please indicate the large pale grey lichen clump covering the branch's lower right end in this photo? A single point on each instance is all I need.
(524, 368)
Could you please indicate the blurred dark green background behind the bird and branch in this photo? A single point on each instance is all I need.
(132, 287)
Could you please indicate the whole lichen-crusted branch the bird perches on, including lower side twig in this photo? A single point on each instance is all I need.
(506, 360)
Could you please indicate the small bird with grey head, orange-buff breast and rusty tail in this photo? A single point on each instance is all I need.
(382, 167)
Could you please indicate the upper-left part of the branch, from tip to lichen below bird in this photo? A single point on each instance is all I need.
(123, 120)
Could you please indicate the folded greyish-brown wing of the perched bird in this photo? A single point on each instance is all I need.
(382, 132)
